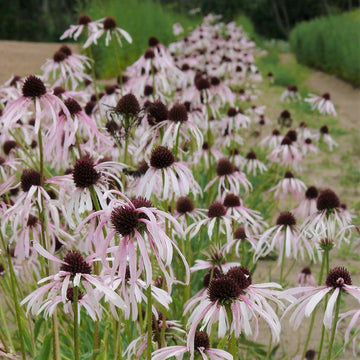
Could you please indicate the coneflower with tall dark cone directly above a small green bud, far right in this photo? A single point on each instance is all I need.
(329, 220)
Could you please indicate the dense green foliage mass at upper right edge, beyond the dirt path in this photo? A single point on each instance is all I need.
(331, 44)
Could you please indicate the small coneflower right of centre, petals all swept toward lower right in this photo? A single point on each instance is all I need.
(251, 219)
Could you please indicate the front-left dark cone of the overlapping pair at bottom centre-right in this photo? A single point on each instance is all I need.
(224, 289)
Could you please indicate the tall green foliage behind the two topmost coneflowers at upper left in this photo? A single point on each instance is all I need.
(142, 19)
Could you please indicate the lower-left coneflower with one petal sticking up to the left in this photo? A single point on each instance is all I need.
(75, 271)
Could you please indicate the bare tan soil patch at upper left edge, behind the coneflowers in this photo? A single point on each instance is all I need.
(25, 58)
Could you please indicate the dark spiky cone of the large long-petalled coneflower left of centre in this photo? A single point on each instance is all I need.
(124, 220)
